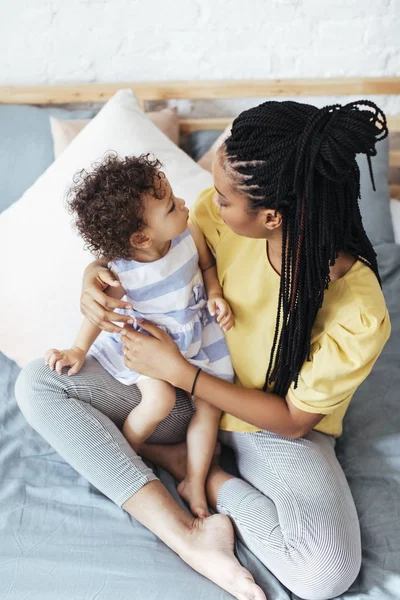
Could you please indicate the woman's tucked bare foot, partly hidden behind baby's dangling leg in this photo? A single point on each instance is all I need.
(173, 457)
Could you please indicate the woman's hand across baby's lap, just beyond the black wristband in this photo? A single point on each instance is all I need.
(157, 356)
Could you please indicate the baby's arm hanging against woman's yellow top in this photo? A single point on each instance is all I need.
(217, 305)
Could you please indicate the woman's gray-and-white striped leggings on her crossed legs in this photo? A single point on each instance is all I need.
(292, 508)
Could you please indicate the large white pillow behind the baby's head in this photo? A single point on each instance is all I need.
(43, 257)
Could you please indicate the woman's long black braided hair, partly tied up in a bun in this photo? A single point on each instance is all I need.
(300, 161)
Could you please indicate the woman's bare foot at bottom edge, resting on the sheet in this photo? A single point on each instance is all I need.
(209, 550)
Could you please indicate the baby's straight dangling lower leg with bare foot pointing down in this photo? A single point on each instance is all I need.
(201, 439)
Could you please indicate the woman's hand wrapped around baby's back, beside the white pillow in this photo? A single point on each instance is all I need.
(96, 305)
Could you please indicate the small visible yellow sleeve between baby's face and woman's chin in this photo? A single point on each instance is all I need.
(204, 214)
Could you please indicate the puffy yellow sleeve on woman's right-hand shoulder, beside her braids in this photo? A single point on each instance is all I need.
(340, 361)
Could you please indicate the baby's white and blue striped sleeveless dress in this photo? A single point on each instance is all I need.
(169, 292)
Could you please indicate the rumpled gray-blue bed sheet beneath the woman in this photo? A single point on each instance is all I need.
(61, 539)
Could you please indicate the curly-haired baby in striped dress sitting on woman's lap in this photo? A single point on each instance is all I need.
(126, 211)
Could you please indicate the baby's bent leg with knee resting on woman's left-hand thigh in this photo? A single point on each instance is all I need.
(158, 399)
